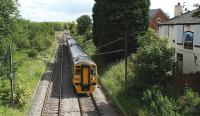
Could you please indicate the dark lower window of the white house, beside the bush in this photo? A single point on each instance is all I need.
(179, 63)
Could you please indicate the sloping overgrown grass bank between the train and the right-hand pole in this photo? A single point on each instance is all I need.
(112, 79)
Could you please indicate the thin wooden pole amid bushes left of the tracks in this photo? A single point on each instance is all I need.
(11, 76)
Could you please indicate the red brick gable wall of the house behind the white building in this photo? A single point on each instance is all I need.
(153, 20)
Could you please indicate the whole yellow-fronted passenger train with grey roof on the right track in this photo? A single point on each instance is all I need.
(84, 70)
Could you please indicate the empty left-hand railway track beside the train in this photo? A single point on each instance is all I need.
(53, 98)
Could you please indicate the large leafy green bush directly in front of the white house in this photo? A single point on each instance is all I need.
(153, 62)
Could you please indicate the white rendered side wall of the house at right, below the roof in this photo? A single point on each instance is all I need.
(175, 35)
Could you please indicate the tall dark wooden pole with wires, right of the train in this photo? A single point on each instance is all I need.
(125, 42)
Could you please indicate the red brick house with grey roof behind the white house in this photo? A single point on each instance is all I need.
(157, 16)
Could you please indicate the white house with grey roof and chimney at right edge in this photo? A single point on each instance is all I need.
(183, 32)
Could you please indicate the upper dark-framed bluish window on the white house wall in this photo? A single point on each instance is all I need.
(188, 39)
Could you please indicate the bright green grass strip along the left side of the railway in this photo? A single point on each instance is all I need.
(30, 71)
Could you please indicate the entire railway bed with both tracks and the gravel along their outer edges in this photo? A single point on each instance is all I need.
(59, 97)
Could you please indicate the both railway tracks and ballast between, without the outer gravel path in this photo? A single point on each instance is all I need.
(61, 98)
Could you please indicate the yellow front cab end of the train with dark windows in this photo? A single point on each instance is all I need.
(85, 78)
